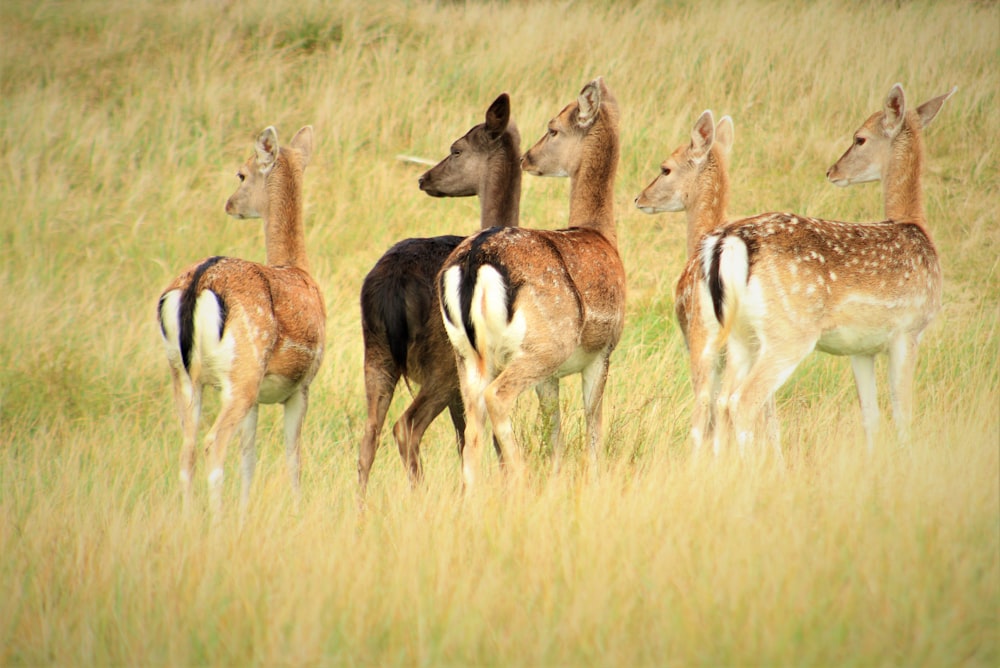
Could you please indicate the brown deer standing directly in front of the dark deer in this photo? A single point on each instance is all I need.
(526, 306)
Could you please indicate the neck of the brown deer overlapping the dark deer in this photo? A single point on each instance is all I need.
(592, 188)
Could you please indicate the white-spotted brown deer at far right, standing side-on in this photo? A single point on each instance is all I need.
(781, 285)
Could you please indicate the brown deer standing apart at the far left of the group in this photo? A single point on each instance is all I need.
(255, 332)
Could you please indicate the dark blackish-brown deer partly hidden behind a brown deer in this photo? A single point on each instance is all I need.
(400, 314)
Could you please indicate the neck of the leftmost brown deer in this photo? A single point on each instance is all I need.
(283, 231)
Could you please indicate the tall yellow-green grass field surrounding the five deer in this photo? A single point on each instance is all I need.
(121, 127)
